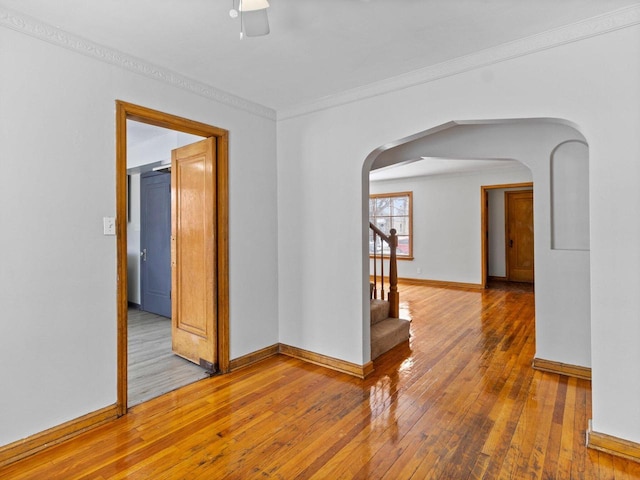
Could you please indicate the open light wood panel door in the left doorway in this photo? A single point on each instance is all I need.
(193, 252)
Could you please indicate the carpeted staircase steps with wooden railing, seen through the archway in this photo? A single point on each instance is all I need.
(387, 330)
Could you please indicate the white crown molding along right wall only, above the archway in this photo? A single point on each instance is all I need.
(618, 19)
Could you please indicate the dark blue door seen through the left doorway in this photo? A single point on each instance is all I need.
(155, 243)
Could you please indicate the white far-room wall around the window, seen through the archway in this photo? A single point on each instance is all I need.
(446, 222)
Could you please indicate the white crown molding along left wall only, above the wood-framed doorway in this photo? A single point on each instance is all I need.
(48, 33)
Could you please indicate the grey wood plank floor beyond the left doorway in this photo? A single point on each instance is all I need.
(153, 368)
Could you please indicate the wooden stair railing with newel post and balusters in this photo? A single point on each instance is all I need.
(380, 238)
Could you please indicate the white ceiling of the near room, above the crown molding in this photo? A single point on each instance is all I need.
(316, 48)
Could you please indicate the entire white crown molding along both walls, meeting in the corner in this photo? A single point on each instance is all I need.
(599, 25)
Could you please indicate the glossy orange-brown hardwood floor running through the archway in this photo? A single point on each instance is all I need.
(460, 402)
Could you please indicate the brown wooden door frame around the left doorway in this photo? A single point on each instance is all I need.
(128, 111)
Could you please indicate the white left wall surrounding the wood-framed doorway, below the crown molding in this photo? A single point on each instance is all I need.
(58, 274)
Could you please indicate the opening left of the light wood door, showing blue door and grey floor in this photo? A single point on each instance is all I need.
(153, 368)
